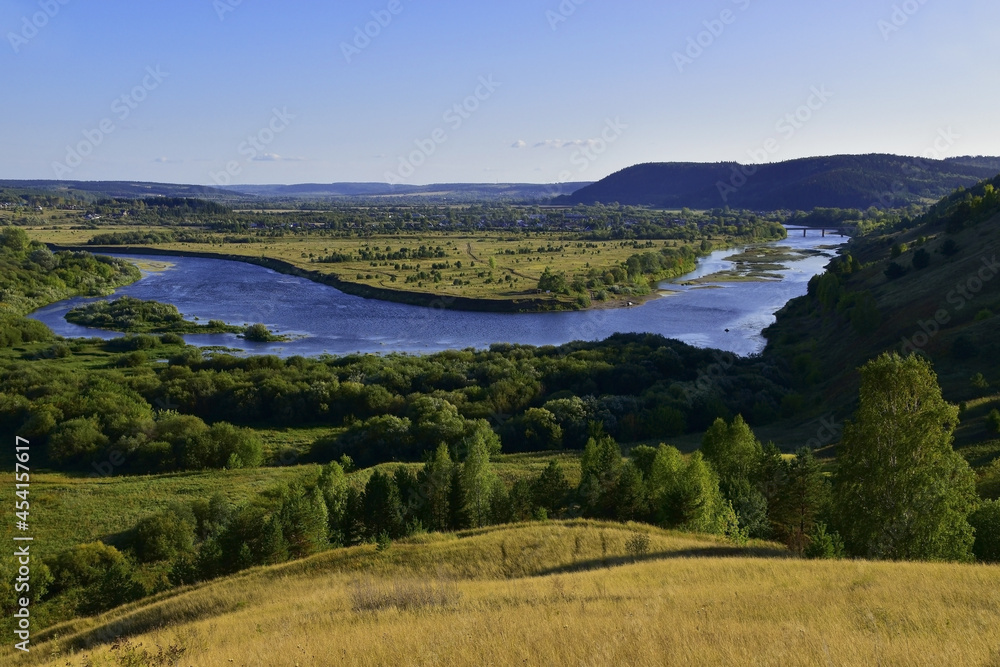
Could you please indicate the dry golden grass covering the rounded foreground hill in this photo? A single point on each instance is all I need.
(564, 593)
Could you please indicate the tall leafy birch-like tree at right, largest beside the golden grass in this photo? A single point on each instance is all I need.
(901, 491)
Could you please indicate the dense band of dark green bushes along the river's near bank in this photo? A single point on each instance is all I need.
(385, 408)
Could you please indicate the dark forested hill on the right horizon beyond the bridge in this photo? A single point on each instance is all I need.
(839, 181)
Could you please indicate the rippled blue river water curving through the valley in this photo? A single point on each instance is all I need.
(337, 323)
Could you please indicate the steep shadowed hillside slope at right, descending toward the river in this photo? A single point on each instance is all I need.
(946, 311)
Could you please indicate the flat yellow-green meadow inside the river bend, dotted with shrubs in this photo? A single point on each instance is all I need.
(491, 266)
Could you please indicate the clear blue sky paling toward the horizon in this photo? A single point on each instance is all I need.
(217, 92)
